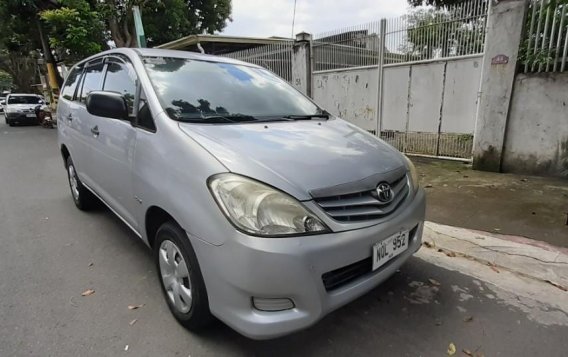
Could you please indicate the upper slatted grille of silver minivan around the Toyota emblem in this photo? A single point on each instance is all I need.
(364, 206)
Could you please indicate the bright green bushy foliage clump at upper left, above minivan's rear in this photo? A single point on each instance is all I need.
(75, 31)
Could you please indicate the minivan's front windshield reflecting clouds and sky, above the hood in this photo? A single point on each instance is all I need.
(197, 91)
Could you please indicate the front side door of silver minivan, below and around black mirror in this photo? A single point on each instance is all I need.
(114, 143)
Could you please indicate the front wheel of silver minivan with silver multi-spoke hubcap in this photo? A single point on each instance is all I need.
(180, 277)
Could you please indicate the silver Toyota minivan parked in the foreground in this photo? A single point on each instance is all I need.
(262, 209)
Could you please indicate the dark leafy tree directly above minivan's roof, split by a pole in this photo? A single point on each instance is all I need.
(164, 20)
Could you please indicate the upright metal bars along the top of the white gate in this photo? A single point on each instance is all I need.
(426, 33)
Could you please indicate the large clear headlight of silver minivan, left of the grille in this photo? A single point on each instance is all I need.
(262, 210)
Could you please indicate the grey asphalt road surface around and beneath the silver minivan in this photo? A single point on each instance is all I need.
(51, 252)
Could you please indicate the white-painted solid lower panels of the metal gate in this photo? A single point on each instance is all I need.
(413, 93)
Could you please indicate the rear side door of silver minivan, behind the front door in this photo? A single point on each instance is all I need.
(82, 122)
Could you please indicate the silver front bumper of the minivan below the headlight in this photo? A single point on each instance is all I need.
(247, 267)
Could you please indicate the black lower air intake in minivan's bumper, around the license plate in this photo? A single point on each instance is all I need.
(339, 277)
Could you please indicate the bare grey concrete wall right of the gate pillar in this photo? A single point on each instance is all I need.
(536, 139)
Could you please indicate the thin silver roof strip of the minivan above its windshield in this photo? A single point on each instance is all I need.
(159, 52)
